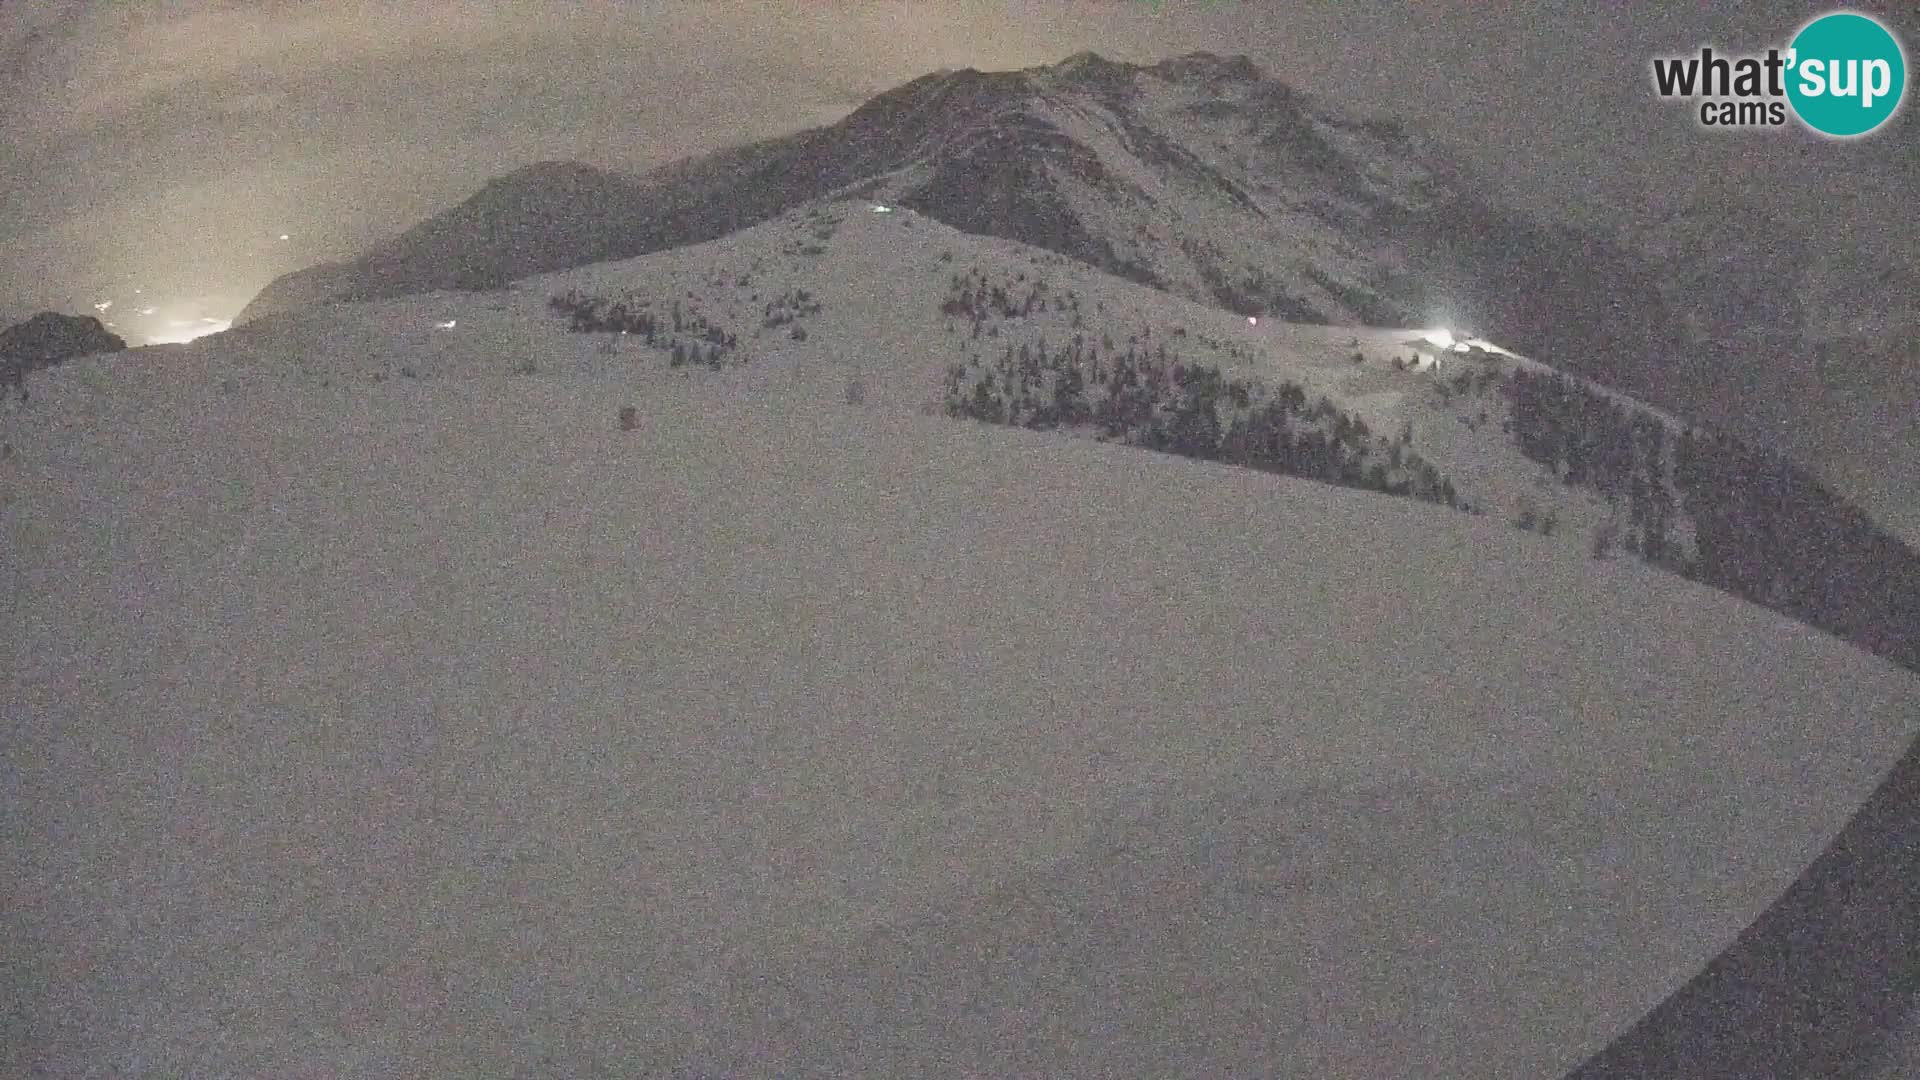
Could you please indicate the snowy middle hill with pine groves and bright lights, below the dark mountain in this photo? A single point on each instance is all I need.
(863, 297)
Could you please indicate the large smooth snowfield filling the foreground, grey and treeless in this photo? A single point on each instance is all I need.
(439, 727)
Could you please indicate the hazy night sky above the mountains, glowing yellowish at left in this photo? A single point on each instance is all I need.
(170, 147)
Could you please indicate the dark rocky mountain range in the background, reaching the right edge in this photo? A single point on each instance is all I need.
(1207, 178)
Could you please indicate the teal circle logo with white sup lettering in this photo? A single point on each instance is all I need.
(1846, 74)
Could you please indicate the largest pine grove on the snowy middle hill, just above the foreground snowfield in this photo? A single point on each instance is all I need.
(1159, 403)
